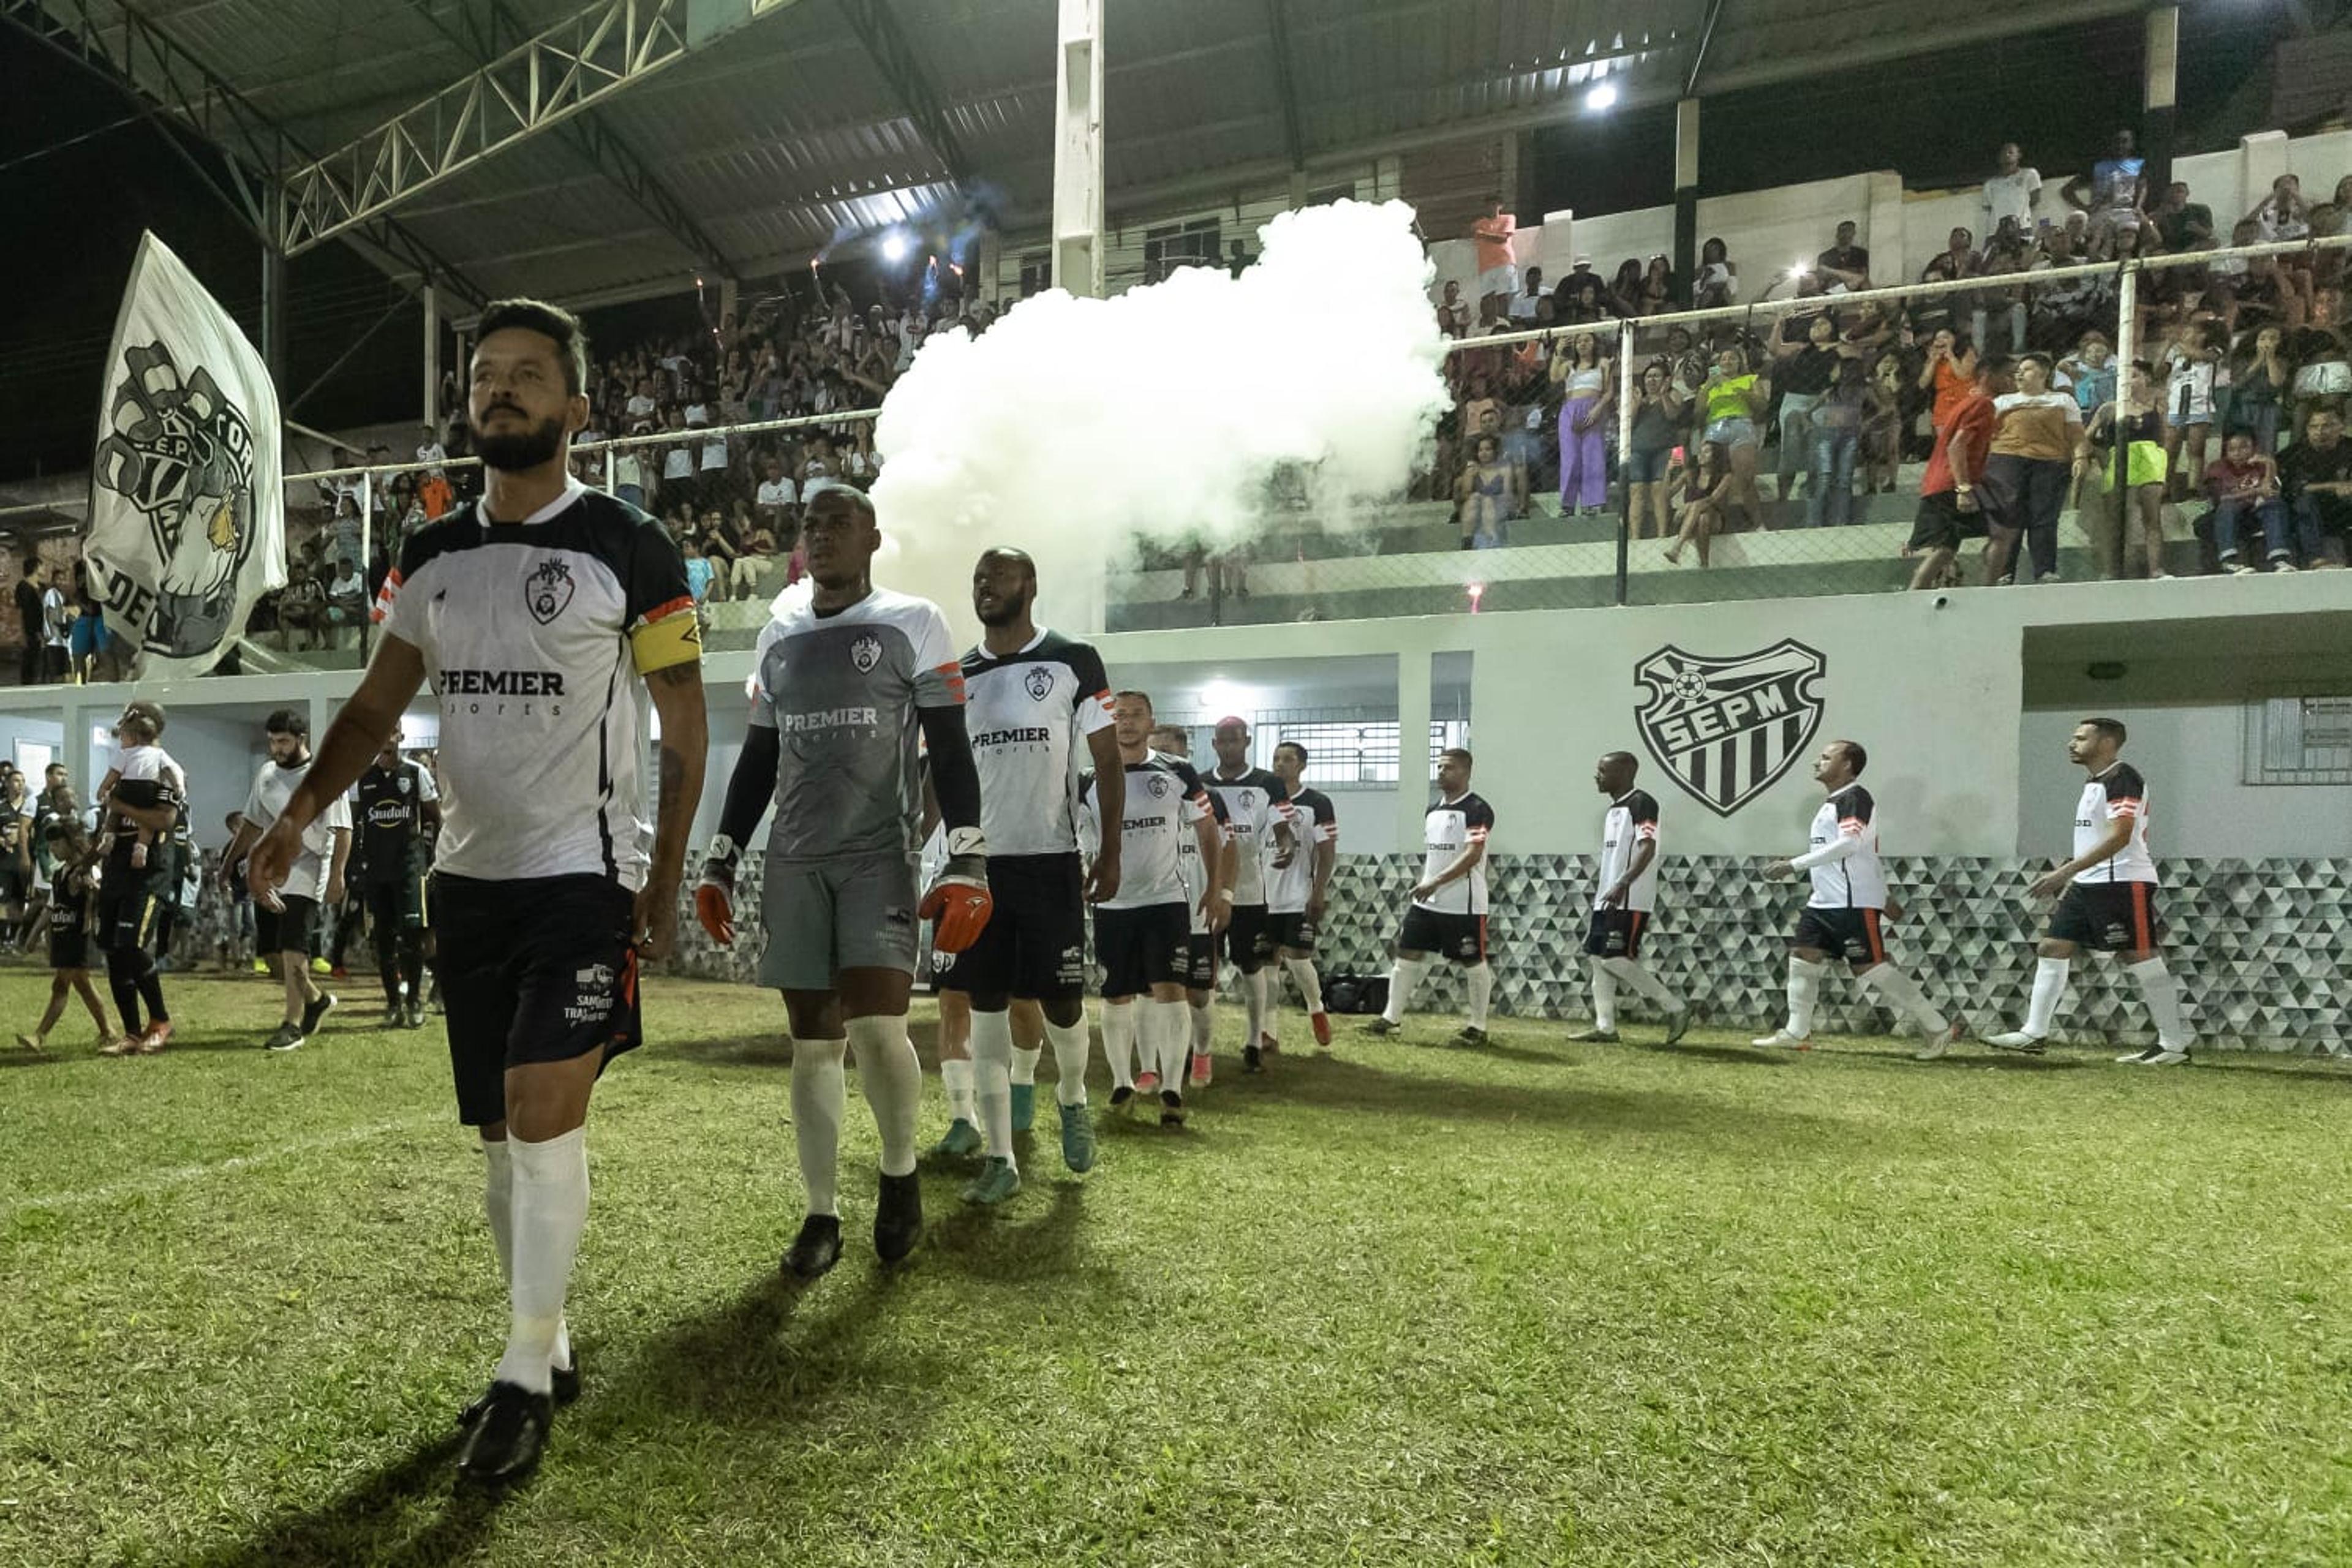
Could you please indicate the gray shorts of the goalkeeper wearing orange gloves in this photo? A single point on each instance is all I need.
(831, 916)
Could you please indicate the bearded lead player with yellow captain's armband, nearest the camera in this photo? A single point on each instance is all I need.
(544, 615)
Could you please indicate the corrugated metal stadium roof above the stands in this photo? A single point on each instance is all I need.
(784, 135)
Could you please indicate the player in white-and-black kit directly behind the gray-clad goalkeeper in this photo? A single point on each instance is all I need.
(1034, 699)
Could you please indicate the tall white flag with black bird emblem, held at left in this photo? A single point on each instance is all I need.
(187, 497)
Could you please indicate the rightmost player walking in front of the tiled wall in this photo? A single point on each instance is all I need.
(2106, 902)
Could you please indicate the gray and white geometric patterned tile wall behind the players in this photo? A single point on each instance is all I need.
(2259, 944)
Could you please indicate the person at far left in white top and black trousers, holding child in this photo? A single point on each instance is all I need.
(142, 808)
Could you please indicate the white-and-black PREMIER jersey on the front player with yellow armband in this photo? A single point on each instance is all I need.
(535, 638)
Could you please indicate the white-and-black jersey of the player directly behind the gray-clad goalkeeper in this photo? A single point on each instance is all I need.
(1031, 716)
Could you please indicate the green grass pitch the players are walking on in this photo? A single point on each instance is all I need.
(1396, 1306)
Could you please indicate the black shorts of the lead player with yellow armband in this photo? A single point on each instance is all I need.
(537, 970)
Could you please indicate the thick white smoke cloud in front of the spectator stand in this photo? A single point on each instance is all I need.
(1081, 424)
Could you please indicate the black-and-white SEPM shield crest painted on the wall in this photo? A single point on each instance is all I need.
(1730, 728)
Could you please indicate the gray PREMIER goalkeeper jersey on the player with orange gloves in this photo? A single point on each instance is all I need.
(843, 692)
